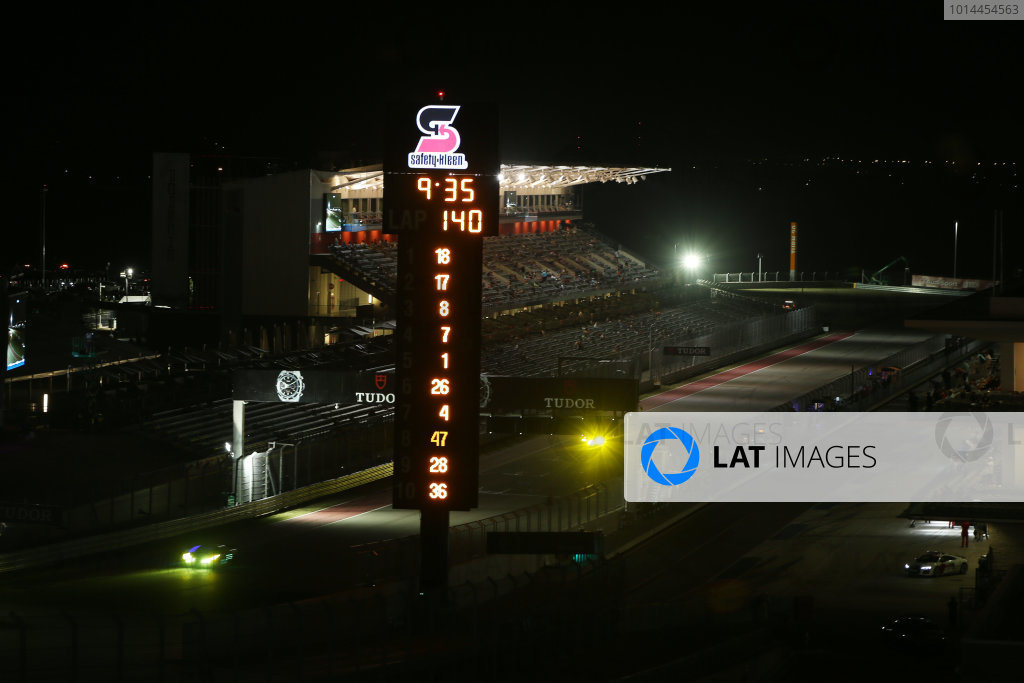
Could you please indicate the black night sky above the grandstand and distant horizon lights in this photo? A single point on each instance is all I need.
(734, 105)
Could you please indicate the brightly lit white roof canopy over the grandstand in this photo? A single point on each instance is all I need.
(518, 178)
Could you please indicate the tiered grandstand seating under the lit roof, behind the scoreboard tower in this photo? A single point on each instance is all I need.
(566, 292)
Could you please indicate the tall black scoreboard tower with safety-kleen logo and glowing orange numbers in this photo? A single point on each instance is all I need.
(442, 198)
